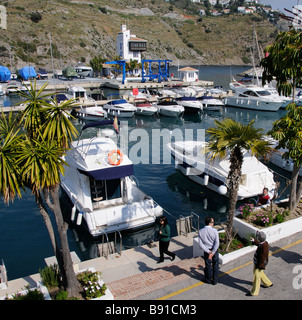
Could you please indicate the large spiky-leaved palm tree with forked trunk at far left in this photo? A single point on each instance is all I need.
(33, 159)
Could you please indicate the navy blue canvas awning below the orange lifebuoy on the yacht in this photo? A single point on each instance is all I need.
(109, 173)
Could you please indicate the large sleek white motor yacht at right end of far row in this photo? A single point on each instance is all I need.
(252, 97)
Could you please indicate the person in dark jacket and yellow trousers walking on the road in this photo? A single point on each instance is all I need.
(260, 262)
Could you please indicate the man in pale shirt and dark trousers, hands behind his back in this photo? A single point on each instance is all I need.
(208, 240)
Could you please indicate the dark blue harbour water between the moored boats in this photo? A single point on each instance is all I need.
(24, 241)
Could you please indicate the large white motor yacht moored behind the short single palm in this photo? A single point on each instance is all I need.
(191, 158)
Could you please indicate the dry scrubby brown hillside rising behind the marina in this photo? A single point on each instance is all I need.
(81, 30)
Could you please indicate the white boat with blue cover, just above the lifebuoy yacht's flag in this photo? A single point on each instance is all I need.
(120, 108)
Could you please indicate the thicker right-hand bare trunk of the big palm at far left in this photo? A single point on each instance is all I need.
(72, 285)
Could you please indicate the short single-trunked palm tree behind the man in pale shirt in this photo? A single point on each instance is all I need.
(230, 136)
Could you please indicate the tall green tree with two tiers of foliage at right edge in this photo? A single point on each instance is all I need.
(283, 62)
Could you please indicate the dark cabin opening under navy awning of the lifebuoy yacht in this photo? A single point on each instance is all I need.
(102, 190)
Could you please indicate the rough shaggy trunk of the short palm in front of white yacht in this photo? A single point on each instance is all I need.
(236, 160)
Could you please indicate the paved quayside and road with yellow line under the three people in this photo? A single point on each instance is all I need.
(135, 275)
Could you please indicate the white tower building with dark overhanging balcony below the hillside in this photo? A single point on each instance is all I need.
(129, 46)
